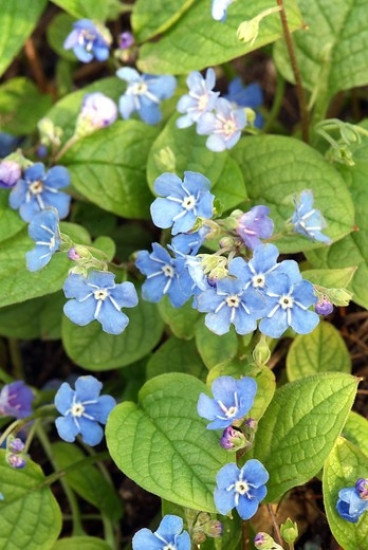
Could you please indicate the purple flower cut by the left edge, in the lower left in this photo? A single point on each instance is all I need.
(16, 400)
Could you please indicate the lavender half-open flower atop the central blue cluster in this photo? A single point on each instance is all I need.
(255, 225)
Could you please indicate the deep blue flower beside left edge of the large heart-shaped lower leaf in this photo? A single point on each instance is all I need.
(83, 410)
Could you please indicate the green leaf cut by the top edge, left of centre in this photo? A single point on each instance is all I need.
(151, 18)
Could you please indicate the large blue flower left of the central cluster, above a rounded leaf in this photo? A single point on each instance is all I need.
(98, 297)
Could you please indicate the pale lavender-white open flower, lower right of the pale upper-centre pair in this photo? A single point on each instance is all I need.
(223, 127)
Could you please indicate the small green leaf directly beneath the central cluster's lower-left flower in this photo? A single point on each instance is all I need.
(215, 349)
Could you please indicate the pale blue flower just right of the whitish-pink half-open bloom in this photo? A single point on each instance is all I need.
(144, 94)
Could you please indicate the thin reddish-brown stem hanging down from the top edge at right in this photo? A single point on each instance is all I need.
(304, 115)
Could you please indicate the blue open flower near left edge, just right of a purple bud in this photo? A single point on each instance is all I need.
(38, 190)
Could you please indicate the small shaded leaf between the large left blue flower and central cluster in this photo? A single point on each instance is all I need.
(180, 320)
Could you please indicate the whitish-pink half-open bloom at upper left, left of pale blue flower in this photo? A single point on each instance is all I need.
(98, 111)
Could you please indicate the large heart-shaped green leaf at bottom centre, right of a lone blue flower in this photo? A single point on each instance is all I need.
(165, 423)
